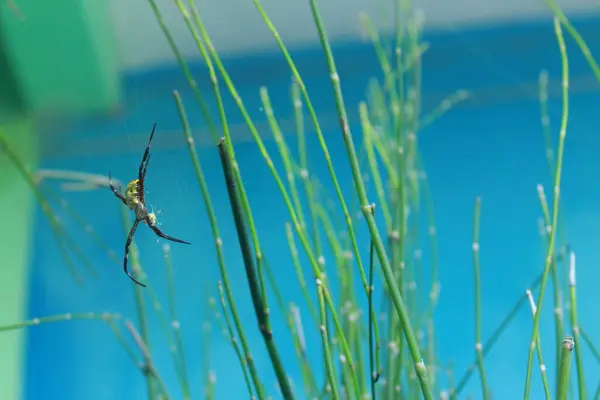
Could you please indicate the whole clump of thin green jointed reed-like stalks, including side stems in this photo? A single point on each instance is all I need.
(391, 353)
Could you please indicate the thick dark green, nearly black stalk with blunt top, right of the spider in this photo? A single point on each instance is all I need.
(257, 300)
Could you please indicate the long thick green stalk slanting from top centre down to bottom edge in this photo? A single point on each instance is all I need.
(419, 364)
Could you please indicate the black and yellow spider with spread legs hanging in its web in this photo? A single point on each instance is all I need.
(134, 200)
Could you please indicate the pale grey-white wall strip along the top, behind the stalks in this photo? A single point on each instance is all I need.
(236, 26)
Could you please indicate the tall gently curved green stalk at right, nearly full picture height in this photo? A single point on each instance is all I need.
(557, 181)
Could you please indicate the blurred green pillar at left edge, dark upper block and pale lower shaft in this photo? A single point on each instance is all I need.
(56, 59)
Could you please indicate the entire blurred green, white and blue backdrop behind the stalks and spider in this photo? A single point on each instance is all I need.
(83, 82)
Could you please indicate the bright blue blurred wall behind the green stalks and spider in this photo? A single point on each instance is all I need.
(490, 146)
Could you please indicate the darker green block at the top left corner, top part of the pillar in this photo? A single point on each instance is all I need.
(61, 56)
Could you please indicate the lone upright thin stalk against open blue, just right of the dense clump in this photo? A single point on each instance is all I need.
(478, 347)
